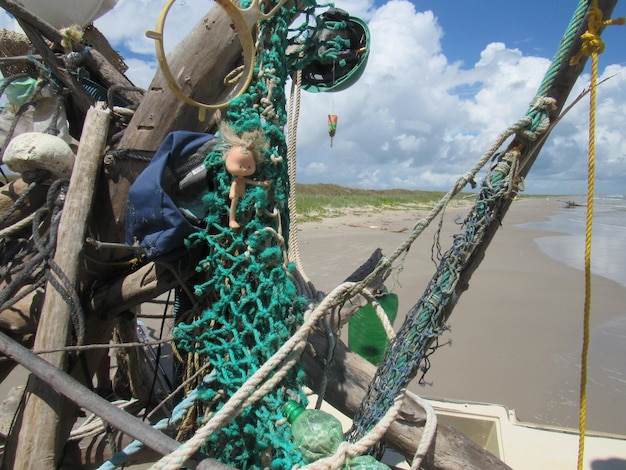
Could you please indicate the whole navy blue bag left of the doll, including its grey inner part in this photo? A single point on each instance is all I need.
(154, 216)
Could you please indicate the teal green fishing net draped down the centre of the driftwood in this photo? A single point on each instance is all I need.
(246, 270)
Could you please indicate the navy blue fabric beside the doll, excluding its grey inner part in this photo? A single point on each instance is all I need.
(152, 217)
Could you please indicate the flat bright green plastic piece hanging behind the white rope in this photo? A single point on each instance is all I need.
(366, 335)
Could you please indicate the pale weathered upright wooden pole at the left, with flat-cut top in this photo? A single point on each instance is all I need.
(45, 424)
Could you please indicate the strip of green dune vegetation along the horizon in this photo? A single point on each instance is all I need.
(320, 201)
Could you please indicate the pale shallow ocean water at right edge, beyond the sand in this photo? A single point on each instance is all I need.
(608, 238)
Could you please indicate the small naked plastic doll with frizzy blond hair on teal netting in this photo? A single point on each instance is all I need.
(241, 155)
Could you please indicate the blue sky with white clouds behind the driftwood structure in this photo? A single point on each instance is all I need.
(444, 78)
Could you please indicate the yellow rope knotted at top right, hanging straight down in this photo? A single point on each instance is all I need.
(592, 45)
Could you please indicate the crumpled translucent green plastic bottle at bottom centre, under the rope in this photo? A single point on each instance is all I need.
(318, 434)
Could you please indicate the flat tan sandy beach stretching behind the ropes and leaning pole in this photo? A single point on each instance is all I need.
(516, 333)
